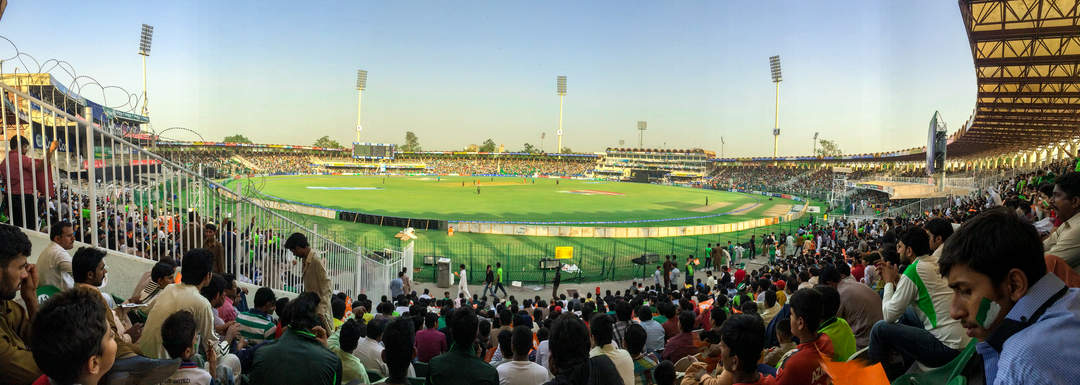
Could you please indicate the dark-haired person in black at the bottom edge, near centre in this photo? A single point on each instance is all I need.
(570, 357)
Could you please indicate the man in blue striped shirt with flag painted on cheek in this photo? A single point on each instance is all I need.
(1028, 322)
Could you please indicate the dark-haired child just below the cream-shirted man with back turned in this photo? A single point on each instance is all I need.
(179, 339)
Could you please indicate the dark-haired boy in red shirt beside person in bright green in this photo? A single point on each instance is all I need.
(805, 366)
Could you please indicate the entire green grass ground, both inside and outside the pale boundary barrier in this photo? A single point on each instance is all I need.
(600, 259)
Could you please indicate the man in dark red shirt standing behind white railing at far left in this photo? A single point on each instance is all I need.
(19, 172)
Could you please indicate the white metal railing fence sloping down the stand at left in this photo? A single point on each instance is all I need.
(121, 197)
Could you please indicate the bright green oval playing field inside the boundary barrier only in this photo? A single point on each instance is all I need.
(518, 200)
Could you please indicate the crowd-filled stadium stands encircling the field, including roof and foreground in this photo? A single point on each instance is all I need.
(128, 259)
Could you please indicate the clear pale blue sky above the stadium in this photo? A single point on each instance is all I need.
(867, 74)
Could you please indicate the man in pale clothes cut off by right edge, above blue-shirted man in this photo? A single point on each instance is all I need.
(1064, 242)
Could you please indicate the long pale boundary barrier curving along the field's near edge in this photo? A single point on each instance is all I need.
(589, 232)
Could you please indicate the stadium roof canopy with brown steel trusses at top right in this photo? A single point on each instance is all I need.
(1028, 69)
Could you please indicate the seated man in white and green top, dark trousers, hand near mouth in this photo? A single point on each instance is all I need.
(931, 337)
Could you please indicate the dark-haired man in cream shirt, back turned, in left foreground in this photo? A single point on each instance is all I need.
(195, 275)
